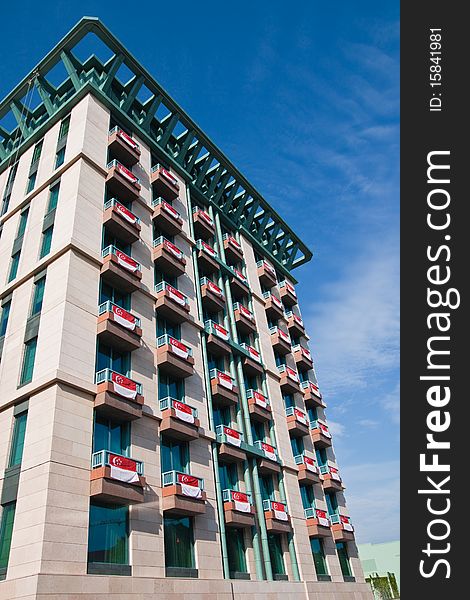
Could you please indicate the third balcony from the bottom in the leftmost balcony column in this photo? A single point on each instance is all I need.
(118, 328)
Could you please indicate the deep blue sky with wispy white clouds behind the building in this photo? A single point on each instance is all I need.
(304, 99)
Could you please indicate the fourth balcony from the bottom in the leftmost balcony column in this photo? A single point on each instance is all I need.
(120, 270)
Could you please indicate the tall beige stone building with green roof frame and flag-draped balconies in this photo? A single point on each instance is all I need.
(161, 426)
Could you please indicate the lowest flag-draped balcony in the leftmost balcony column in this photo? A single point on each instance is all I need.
(116, 479)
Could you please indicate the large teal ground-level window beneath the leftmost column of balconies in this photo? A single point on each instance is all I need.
(108, 534)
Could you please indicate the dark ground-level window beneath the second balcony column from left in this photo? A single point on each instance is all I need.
(179, 543)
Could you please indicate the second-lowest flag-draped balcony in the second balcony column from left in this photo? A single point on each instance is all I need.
(179, 420)
